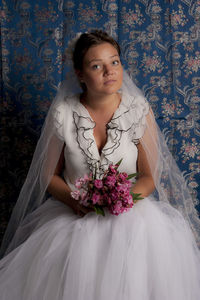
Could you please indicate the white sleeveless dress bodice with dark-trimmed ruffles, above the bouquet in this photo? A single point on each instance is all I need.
(123, 133)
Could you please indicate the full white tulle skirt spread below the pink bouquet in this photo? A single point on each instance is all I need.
(148, 253)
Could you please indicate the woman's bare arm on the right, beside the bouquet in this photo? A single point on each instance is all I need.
(145, 183)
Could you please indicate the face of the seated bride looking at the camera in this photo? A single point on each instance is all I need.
(102, 71)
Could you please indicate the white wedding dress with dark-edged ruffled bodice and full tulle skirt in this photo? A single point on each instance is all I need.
(147, 253)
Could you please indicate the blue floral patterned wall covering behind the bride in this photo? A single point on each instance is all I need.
(160, 48)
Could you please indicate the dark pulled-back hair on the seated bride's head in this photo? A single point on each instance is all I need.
(88, 40)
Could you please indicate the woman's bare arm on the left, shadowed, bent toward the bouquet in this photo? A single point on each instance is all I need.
(60, 190)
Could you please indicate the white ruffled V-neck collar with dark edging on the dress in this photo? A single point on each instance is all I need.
(127, 115)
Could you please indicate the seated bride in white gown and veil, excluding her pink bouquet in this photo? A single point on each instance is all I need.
(65, 250)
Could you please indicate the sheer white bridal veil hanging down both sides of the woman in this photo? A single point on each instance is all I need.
(170, 184)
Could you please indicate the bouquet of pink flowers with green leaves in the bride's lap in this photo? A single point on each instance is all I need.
(112, 191)
